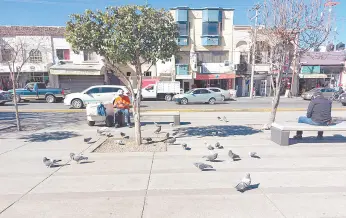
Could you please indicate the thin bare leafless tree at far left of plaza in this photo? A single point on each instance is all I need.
(16, 53)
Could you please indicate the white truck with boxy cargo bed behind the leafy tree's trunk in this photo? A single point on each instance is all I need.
(161, 90)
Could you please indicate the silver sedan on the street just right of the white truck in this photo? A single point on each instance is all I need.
(199, 95)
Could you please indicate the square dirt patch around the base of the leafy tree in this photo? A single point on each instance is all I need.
(111, 145)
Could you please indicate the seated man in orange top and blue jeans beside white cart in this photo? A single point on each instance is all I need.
(122, 104)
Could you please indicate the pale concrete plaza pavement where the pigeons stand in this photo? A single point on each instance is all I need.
(302, 180)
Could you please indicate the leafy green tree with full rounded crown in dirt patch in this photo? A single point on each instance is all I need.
(133, 35)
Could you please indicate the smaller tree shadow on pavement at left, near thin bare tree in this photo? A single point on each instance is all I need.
(50, 136)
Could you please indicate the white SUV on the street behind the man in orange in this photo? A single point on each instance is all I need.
(94, 94)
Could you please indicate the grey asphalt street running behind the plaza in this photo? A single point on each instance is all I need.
(239, 103)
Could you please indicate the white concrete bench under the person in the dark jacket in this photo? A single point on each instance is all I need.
(280, 133)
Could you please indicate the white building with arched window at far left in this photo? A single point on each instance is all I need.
(31, 48)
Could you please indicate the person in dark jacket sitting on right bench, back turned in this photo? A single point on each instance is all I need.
(319, 114)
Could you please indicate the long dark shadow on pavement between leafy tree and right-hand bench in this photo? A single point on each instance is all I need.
(220, 131)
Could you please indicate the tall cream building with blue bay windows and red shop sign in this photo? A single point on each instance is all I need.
(205, 57)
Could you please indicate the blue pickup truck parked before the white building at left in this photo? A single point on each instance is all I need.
(39, 91)
